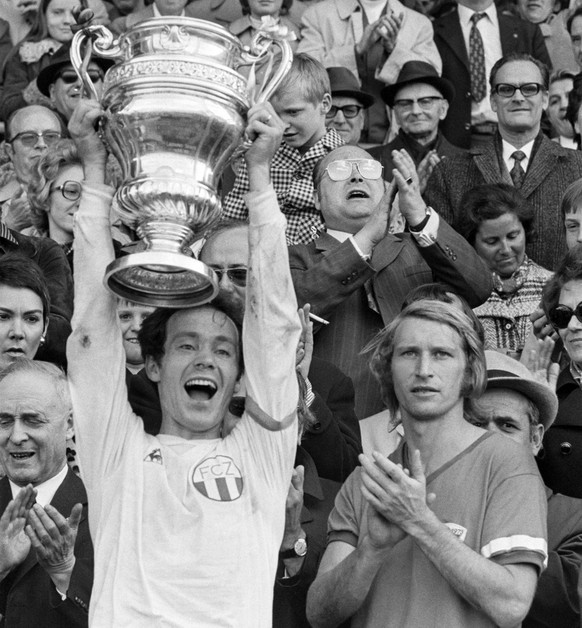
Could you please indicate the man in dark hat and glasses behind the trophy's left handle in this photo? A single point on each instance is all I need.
(59, 81)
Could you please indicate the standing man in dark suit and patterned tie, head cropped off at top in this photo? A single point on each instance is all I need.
(470, 39)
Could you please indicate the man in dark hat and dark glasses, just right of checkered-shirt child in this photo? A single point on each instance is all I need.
(347, 113)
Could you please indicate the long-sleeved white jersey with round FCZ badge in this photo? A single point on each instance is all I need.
(186, 532)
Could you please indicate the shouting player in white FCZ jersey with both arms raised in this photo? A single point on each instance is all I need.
(187, 525)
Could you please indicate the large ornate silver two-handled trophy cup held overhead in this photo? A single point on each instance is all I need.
(175, 114)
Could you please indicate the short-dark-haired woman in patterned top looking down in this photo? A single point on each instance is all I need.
(498, 223)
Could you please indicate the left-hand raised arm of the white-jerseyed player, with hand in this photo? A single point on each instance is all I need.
(95, 349)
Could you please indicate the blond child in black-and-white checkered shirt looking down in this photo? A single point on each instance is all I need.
(302, 100)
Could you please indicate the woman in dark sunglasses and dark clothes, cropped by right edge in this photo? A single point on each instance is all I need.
(560, 460)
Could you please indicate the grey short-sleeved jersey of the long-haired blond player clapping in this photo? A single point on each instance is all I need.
(492, 499)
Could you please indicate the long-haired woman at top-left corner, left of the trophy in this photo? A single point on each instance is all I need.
(51, 29)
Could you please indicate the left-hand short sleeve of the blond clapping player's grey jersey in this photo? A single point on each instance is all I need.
(345, 519)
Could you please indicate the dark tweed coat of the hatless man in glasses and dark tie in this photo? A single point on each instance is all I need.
(551, 170)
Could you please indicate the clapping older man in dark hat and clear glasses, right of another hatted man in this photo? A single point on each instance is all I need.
(420, 100)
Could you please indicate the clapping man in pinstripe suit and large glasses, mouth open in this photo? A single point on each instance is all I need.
(356, 276)
